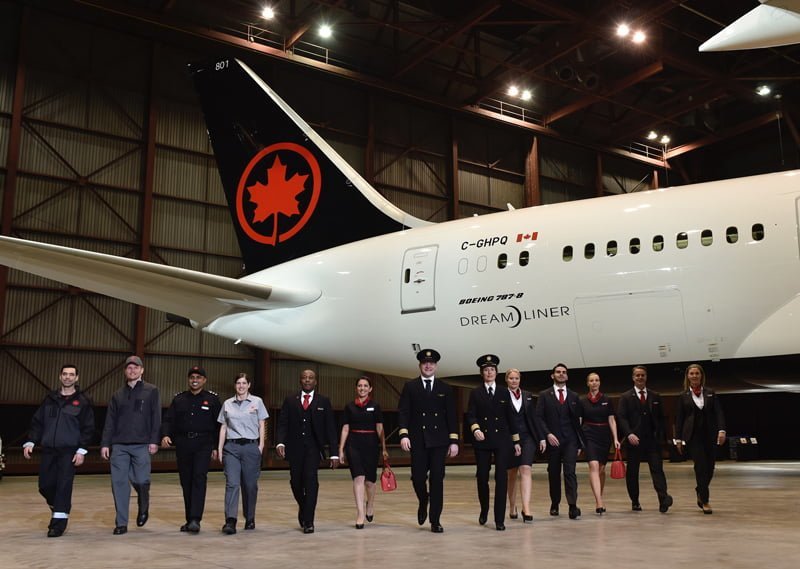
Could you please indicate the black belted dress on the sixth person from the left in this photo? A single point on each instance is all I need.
(362, 443)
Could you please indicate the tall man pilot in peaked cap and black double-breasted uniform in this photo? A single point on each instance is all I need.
(429, 430)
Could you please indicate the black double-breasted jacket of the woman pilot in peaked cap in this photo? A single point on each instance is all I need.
(494, 416)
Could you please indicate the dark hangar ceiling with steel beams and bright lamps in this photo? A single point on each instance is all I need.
(587, 85)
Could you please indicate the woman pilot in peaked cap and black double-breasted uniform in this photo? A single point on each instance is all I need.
(490, 415)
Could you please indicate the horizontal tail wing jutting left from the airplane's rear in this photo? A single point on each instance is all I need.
(198, 296)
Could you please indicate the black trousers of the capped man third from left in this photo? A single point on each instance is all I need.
(193, 457)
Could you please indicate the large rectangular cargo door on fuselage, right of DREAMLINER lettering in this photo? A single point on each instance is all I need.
(634, 326)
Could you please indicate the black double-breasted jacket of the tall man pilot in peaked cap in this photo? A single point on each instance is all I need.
(427, 419)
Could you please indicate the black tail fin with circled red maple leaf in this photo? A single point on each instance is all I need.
(290, 194)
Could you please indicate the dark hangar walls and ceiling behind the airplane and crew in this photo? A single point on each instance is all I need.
(103, 147)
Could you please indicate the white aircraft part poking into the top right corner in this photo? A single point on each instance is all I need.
(772, 24)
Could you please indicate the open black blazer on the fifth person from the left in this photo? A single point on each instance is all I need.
(290, 424)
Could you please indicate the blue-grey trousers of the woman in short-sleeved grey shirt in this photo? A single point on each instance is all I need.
(242, 465)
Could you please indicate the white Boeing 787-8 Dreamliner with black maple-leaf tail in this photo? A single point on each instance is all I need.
(705, 273)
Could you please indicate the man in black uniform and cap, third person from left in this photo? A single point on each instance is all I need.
(190, 423)
